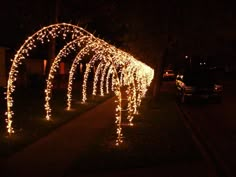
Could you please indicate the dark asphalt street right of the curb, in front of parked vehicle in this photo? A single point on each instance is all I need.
(216, 125)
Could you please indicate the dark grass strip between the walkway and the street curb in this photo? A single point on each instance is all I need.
(157, 137)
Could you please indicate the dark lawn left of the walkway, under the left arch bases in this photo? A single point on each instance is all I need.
(29, 121)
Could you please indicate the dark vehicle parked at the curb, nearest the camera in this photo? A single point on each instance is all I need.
(199, 82)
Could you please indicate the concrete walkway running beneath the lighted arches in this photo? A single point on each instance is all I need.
(52, 155)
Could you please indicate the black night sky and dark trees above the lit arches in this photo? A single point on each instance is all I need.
(143, 28)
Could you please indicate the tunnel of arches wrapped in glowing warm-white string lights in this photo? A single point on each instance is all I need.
(113, 69)
